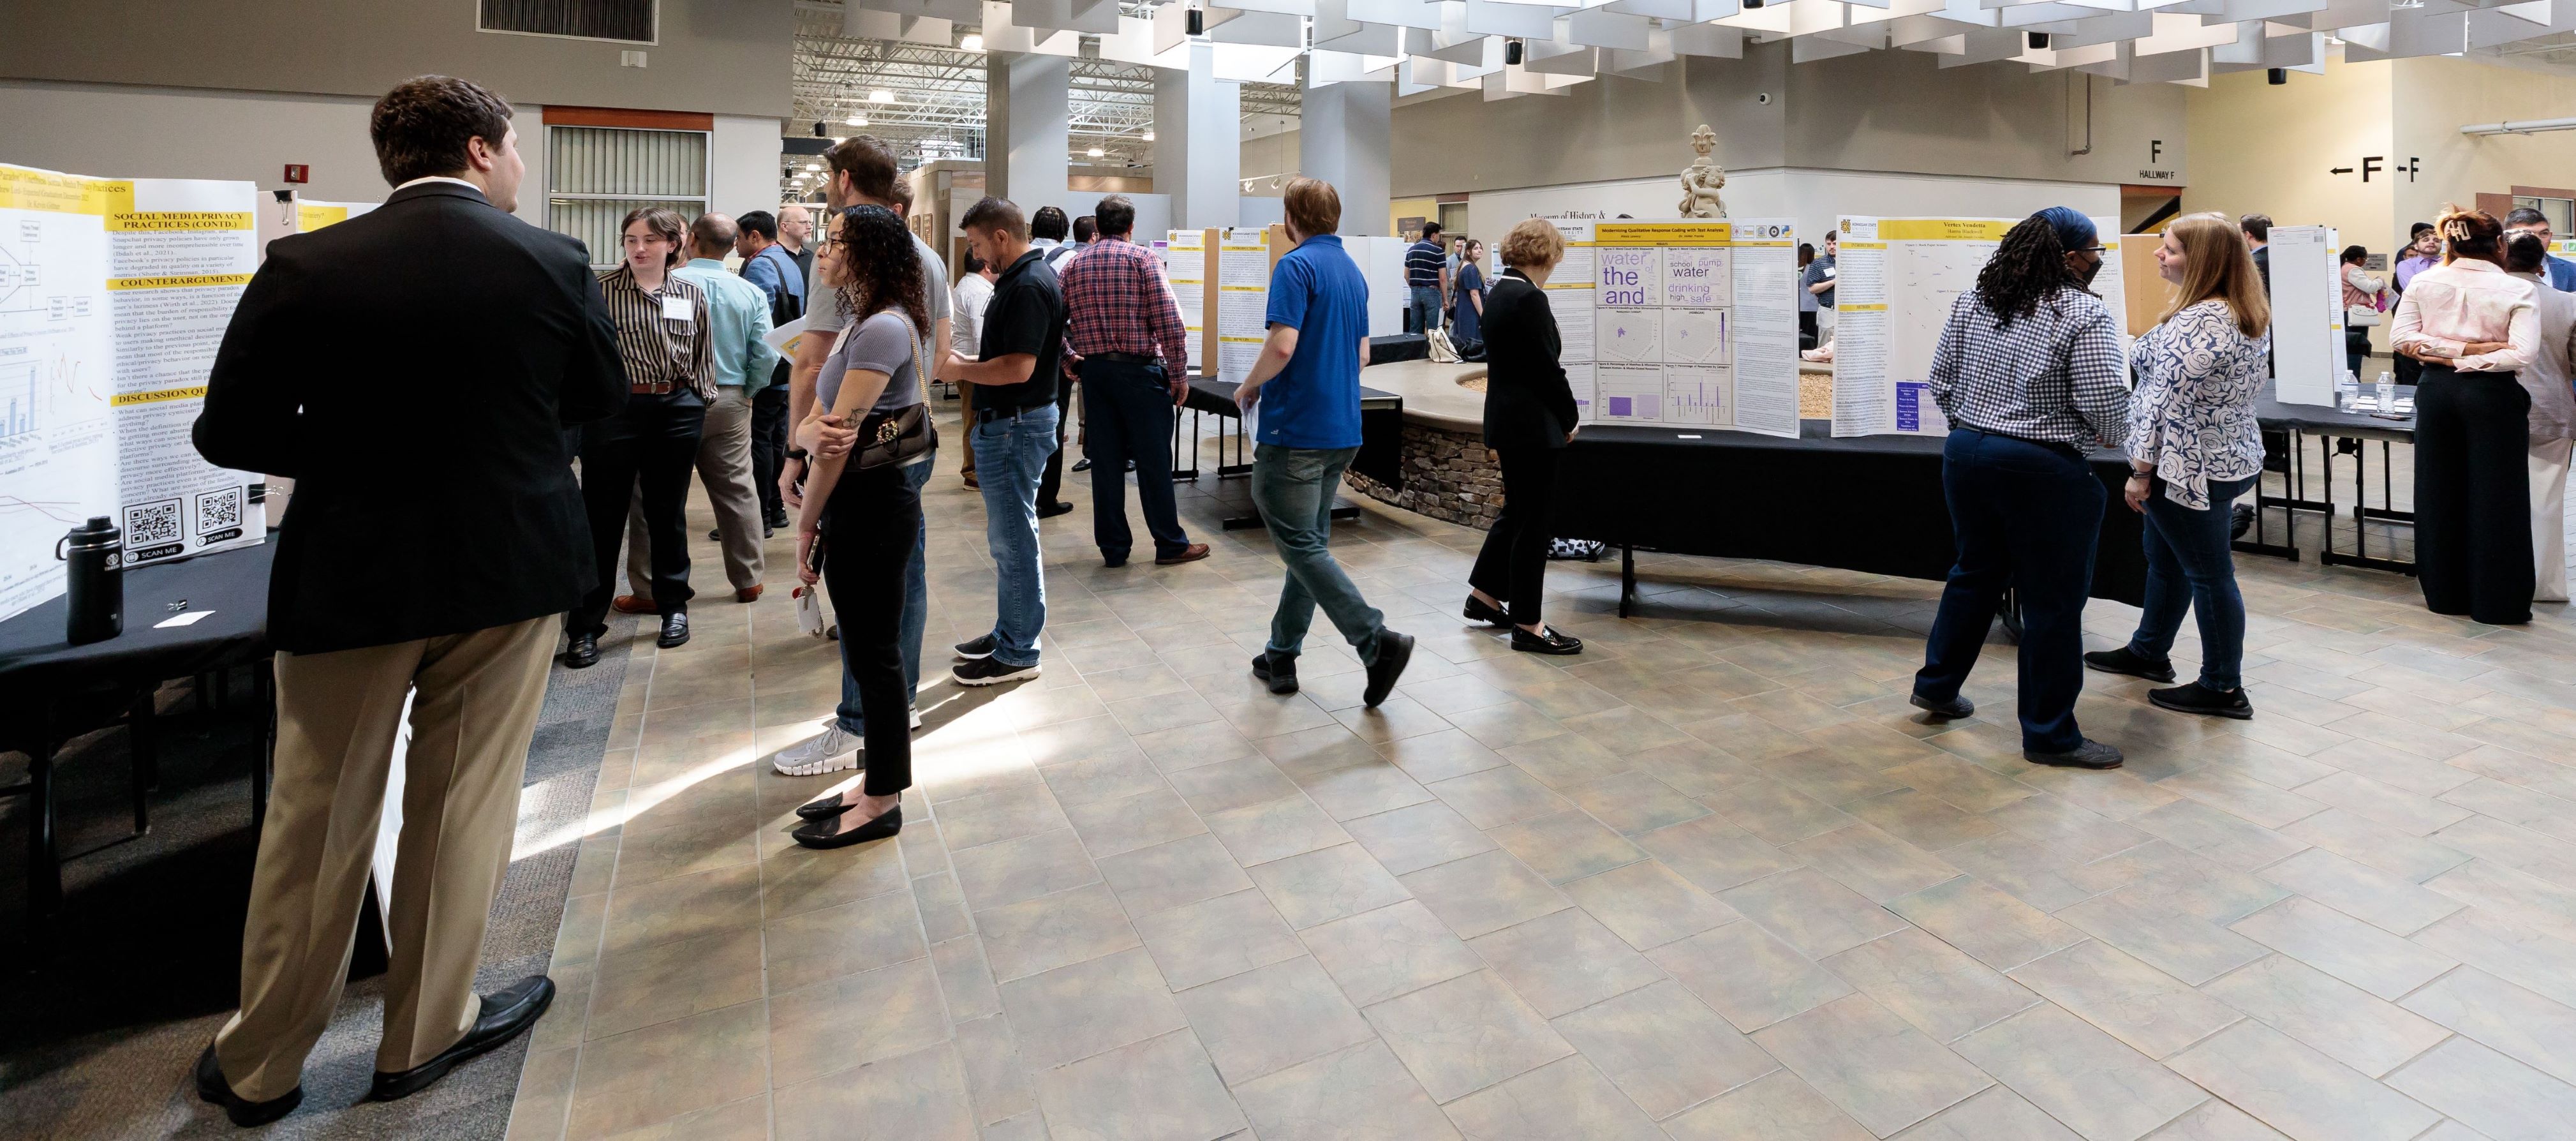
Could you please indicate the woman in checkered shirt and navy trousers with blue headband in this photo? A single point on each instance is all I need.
(2029, 375)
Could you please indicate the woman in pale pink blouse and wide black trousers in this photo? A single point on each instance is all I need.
(2474, 328)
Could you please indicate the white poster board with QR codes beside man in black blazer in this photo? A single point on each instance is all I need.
(115, 297)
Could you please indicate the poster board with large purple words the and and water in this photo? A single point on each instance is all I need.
(1689, 323)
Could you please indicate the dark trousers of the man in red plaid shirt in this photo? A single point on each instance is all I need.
(1135, 424)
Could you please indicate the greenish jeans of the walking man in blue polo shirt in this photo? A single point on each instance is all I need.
(1294, 493)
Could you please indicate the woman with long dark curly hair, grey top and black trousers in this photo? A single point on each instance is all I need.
(864, 522)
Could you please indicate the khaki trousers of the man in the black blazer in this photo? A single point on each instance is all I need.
(460, 807)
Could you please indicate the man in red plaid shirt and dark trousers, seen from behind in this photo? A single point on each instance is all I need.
(1132, 354)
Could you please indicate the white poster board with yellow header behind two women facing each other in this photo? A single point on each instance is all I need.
(1892, 295)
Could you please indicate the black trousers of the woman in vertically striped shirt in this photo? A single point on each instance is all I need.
(653, 447)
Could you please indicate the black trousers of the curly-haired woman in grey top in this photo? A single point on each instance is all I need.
(869, 529)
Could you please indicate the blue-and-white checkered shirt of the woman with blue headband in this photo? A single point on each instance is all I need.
(2054, 377)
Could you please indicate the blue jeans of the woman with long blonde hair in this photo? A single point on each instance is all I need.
(2191, 565)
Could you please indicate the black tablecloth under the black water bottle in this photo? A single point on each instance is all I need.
(228, 586)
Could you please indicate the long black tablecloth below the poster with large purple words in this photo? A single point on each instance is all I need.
(1869, 504)
